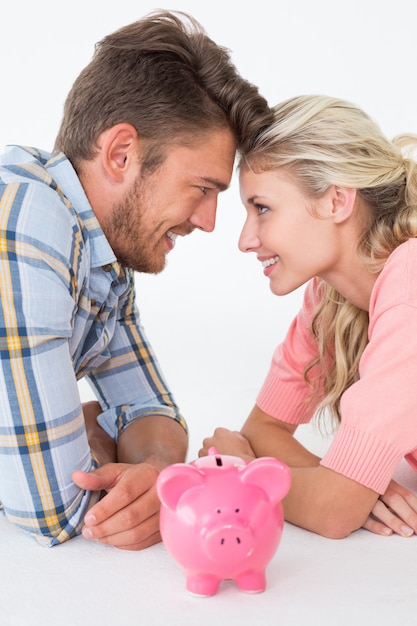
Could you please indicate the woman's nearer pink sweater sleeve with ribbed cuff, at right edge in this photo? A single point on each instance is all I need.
(379, 412)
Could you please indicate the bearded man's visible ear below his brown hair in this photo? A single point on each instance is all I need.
(118, 149)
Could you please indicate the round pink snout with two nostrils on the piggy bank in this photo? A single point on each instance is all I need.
(229, 543)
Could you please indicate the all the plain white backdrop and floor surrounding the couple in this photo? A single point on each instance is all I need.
(211, 316)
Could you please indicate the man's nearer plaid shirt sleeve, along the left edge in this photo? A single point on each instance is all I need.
(42, 432)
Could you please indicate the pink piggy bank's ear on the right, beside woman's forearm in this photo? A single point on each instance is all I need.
(271, 475)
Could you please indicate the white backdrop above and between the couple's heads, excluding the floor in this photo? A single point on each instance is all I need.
(210, 315)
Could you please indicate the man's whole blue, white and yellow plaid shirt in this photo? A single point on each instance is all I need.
(67, 310)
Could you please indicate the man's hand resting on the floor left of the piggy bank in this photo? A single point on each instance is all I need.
(128, 516)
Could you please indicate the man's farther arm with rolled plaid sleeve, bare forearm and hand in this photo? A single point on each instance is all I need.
(139, 412)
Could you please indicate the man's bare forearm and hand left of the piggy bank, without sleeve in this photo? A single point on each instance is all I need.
(128, 516)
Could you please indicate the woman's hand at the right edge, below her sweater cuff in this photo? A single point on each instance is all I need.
(394, 512)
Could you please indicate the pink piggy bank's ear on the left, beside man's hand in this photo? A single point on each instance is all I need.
(175, 480)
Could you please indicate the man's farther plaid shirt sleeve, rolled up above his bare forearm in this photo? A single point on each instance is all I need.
(130, 383)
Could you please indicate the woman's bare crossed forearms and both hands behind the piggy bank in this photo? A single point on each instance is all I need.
(320, 499)
